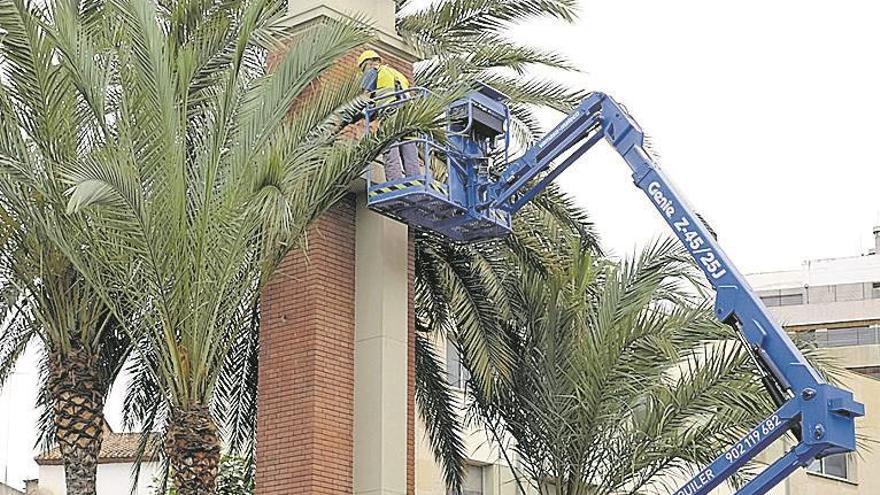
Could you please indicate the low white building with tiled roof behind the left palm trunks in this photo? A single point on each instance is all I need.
(115, 468)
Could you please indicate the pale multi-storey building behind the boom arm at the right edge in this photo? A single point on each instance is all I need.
(835, 302)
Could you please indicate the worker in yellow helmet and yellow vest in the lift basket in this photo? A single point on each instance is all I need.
(382, 79)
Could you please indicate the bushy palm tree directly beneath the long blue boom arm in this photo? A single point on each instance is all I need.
(624, 380)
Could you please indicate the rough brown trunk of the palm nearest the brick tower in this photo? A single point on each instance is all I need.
(193, 450)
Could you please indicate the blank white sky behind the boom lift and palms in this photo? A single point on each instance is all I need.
(763, 114)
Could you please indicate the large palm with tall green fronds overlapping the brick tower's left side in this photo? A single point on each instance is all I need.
(205, 185)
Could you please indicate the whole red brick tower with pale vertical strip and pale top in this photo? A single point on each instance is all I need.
(317, 433)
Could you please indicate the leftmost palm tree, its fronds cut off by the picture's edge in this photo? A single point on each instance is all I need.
(45, 123)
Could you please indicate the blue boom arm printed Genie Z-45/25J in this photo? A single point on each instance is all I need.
(820, 415)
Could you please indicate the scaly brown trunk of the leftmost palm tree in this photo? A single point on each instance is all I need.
(78, 414)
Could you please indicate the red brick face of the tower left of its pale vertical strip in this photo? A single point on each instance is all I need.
(306, 382)
